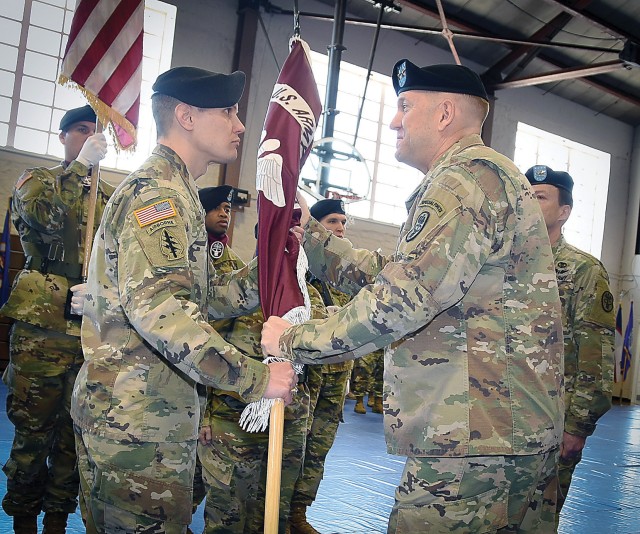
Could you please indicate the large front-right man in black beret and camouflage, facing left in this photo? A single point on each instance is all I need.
(469, 309)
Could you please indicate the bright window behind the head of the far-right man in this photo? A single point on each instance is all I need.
(589, 169)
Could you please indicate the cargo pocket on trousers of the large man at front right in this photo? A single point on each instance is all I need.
(486, 512)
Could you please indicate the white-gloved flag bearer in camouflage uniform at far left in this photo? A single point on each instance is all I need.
(50, 209)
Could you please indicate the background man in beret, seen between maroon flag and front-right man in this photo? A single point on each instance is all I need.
(327, 384)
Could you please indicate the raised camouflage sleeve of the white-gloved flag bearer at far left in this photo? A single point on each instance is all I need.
(42, 197)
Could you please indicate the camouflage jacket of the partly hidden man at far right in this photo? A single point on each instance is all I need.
(589, 324)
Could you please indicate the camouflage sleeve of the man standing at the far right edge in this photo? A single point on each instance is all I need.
(589, 388)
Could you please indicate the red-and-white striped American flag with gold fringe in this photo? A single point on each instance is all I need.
(103, 59)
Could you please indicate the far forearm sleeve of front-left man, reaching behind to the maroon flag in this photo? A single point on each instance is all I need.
(235, 293)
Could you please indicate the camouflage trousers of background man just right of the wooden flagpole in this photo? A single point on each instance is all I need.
(327, 400)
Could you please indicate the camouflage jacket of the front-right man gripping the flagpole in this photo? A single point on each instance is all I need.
(468, 305)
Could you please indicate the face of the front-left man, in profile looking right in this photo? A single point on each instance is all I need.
(217, 134)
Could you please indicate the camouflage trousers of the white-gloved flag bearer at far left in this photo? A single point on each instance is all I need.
(41, 469)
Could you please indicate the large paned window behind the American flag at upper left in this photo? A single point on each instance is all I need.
(33, 38)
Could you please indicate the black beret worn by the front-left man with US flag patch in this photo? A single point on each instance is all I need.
(201, 88)
